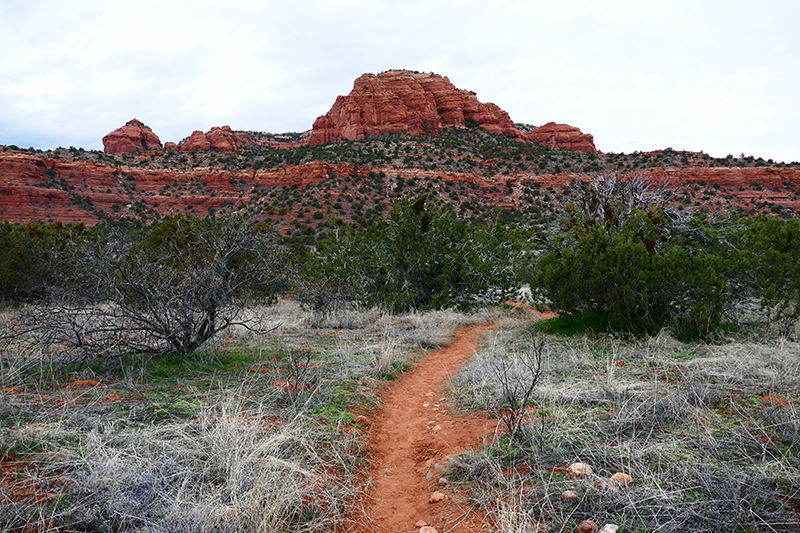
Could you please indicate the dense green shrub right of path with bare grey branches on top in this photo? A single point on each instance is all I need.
(641, 269)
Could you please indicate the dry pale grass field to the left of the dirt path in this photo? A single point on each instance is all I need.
(248, 434)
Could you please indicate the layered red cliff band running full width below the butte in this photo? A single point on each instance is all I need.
(79, 187)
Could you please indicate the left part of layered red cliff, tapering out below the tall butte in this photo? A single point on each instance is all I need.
(39, 188)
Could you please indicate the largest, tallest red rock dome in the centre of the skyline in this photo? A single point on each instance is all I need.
(401, 101)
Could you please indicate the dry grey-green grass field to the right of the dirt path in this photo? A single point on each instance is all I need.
(709, 433)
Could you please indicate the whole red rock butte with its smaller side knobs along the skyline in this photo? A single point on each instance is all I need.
(389, 103)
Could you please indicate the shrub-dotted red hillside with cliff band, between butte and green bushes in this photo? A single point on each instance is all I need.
(305, 190)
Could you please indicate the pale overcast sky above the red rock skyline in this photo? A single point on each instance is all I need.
(722, 76)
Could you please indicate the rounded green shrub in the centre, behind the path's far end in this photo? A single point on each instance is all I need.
(421, 257)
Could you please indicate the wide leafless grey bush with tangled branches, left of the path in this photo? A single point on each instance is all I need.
(117, 296)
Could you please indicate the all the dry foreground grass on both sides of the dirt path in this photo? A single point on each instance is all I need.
(258, 433)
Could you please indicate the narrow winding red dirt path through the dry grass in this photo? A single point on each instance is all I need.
(409, 440)
